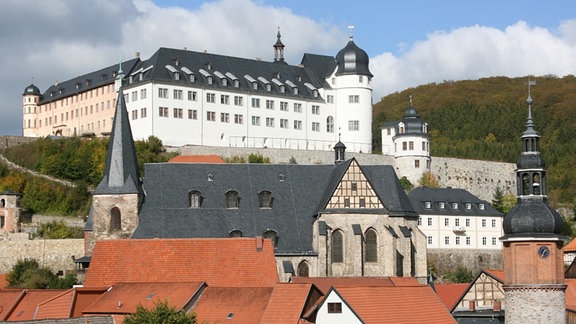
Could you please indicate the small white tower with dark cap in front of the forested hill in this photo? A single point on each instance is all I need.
(408, 141)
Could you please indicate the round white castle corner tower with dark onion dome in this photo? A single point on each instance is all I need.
(352, 82)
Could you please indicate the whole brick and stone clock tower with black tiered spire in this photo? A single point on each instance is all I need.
(533, 265)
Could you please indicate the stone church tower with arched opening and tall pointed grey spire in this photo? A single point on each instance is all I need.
(117, 199)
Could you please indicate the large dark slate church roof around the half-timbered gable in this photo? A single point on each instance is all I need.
(299, 193)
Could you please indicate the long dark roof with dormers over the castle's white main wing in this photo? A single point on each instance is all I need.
(185, 61)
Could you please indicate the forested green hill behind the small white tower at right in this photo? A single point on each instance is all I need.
(484, 119)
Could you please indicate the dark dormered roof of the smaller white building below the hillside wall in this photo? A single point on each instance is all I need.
(418, 196)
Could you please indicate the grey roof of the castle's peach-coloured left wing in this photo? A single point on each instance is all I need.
(85, 82)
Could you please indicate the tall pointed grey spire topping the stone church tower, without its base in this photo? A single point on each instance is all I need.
(121, 173)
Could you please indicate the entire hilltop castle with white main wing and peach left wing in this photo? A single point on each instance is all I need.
(198, 98)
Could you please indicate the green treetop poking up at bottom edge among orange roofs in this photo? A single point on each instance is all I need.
(162, 313)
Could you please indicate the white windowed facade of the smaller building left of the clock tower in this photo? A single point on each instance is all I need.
(461, 231)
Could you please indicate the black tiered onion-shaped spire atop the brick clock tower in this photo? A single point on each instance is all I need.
(532, 215)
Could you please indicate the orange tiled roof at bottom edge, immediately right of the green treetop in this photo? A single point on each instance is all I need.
(232, 305)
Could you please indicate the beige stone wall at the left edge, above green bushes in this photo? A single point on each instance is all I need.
(54, 254)
